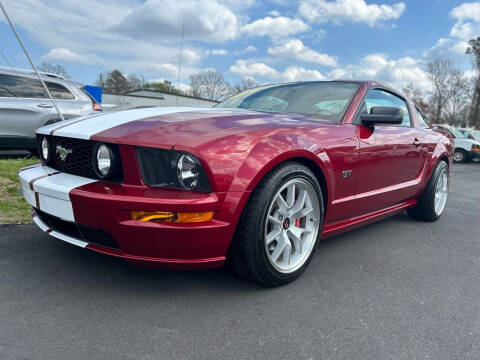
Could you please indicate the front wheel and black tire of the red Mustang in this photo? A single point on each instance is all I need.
(279, 227)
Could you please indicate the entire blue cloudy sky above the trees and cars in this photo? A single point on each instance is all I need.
(268, 40)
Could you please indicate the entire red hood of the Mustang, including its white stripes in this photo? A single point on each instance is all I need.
(167, 127)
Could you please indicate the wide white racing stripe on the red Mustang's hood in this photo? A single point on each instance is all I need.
(90, 126)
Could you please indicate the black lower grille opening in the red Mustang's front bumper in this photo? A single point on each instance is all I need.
(77, 231)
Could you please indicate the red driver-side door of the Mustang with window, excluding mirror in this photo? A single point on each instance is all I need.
(391, 156)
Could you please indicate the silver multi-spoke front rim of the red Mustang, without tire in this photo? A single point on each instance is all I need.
(291, 225)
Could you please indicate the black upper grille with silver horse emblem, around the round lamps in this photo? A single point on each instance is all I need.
(79, 160)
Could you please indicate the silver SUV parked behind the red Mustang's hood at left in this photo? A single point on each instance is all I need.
(25, 106)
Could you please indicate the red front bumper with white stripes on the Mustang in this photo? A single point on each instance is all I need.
(79, 202)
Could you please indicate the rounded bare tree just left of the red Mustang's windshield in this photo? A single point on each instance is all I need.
(209, 84)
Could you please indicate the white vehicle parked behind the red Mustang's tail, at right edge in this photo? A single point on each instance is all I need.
(465, 149)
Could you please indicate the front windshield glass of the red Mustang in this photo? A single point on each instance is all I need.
(323, 99)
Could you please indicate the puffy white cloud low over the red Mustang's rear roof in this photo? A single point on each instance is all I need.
(399, 72)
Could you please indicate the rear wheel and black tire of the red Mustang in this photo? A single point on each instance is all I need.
(432, 201)
